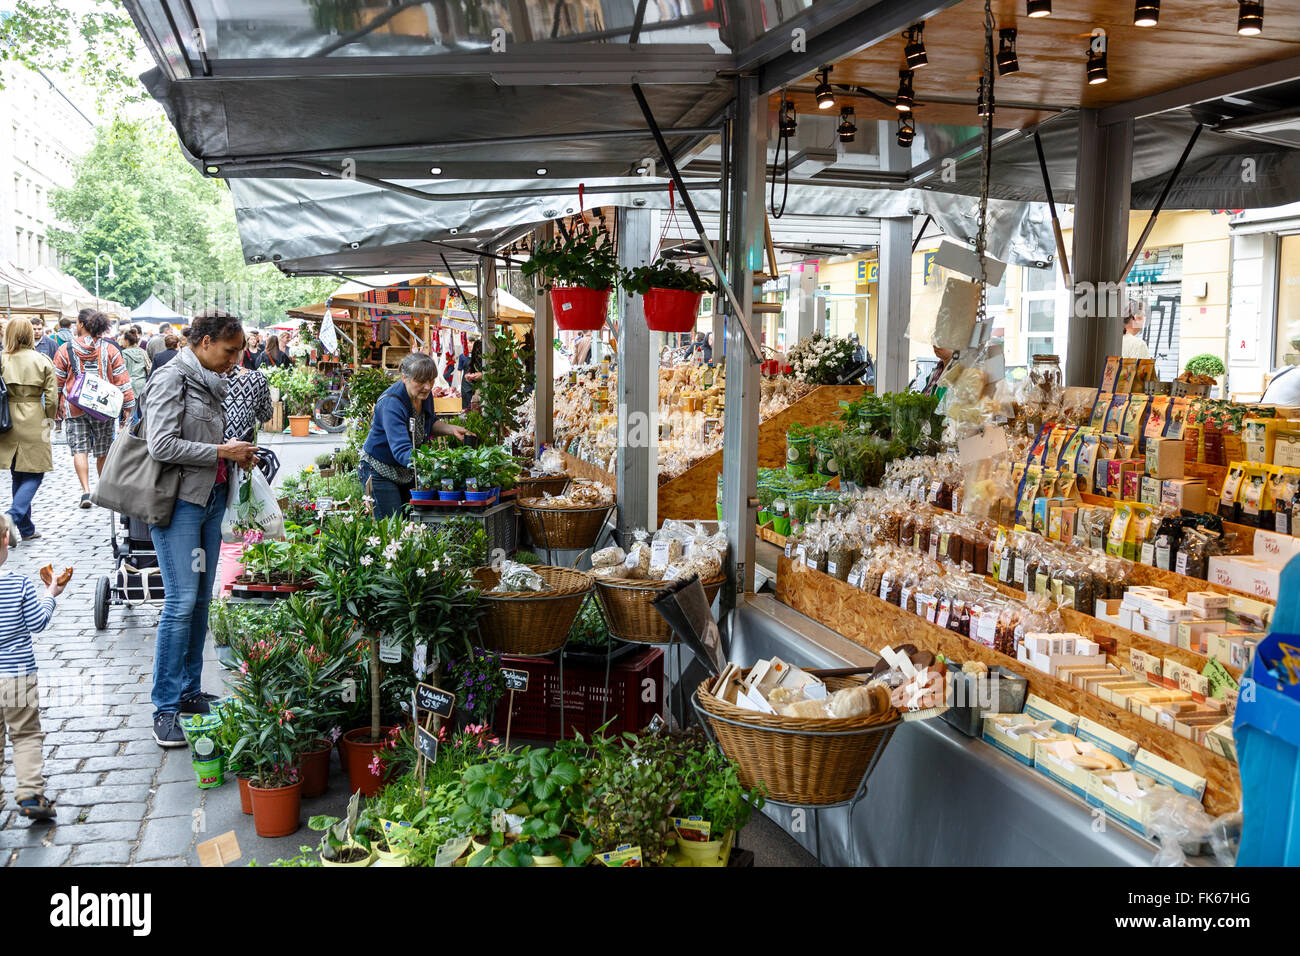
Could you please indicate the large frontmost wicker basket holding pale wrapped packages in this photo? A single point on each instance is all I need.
(801, 762)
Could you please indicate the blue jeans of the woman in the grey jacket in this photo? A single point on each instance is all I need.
(189, 551)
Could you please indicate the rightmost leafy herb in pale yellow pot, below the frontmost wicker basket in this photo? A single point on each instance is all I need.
(716, 797)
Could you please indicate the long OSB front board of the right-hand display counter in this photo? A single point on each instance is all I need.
(874, 624)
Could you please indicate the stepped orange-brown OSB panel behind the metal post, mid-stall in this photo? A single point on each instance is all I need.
(695, 492)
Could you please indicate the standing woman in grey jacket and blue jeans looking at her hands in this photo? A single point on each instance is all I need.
(185, 426)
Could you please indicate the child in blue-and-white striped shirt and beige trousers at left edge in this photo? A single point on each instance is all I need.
(23, 612)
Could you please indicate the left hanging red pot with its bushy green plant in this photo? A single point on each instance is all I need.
(579, 271)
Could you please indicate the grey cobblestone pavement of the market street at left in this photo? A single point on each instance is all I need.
(120, 798)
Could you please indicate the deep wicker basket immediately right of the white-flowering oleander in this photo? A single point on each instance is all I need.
(530, 624)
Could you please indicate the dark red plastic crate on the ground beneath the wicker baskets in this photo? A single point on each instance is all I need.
(538, 711)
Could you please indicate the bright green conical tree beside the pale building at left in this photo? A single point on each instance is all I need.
(120, 230)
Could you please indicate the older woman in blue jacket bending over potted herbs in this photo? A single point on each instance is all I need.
(404, 419)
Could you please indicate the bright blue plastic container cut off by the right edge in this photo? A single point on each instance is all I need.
(1268, 747)
